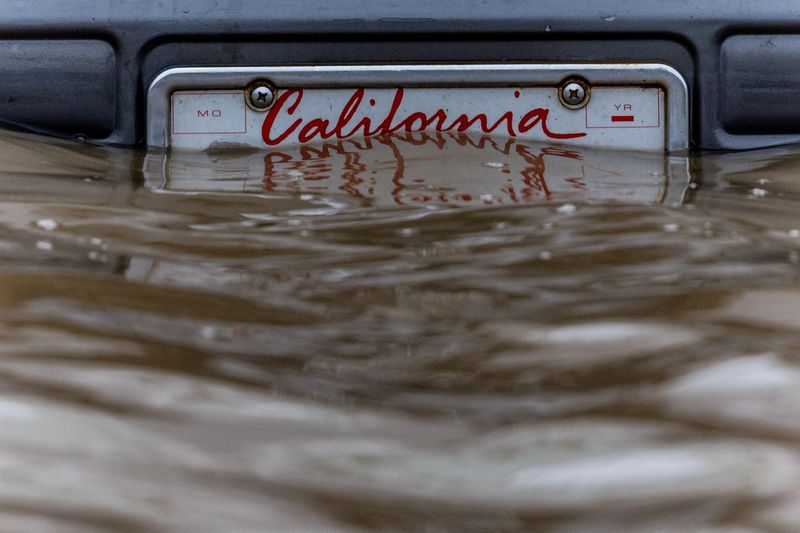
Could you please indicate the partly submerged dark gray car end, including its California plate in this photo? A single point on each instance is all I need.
(196, 74)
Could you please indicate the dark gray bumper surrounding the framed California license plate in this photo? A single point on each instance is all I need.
(82, 68)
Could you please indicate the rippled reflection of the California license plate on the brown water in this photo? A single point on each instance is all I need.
(417, 169)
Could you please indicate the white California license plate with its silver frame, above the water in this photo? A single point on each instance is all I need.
(638, 107)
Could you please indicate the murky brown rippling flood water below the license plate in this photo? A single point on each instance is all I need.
(406, 334)
